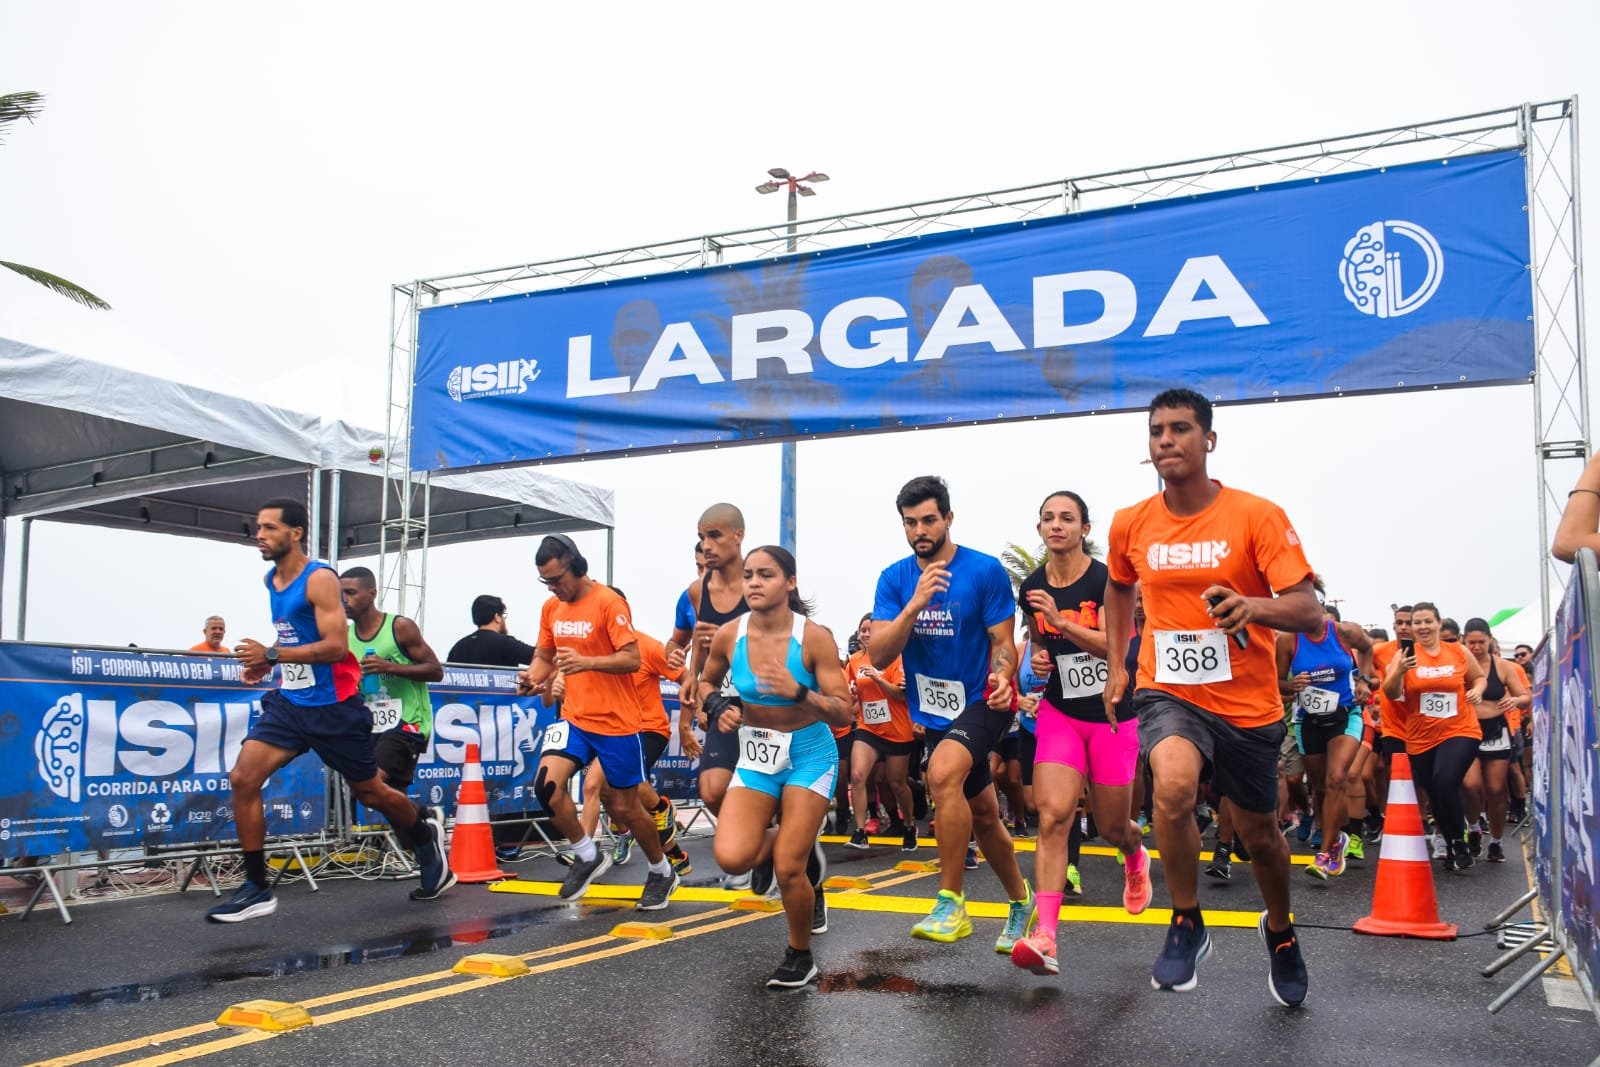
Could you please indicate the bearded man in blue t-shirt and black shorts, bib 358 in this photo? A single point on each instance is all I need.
(950, 615)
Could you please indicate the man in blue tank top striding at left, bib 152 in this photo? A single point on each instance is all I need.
(316, 706)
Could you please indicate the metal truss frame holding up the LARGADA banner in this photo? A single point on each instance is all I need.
(1546, 134)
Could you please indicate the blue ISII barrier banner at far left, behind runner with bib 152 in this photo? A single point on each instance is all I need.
(129, 749)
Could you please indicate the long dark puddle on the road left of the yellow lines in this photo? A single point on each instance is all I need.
(410, 943)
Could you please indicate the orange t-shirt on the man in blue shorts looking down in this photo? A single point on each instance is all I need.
(596, 625)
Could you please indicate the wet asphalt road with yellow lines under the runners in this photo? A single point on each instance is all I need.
(374, 970)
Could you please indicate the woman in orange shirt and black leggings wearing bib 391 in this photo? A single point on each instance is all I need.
(1438, 689)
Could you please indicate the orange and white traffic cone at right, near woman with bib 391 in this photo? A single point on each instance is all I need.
(1404, 903)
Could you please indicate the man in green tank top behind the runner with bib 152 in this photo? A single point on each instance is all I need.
(396, 668)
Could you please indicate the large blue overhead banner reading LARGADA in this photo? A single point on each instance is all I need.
(1409, 278)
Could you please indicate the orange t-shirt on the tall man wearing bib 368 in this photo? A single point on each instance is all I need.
(1241, 541)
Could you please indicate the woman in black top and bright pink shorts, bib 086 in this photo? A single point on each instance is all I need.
(1063, 605)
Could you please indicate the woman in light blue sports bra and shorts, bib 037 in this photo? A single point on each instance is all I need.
(793, 690)
